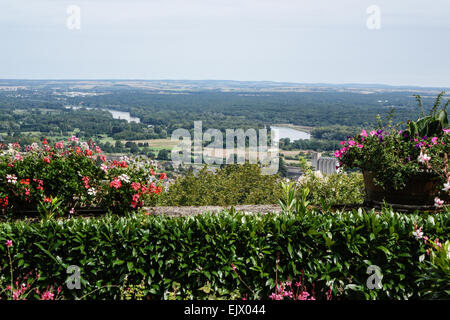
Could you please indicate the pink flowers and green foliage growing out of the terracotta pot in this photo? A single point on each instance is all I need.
(394, 156)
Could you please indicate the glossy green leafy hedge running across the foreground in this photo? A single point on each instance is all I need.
(333, 249)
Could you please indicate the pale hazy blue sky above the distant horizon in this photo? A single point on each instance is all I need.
(278, 40)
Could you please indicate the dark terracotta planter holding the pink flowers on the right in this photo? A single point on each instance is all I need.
(419, 191)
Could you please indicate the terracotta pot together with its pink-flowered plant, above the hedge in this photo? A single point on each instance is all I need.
(405, 167)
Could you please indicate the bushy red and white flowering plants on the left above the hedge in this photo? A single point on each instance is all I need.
(76, 173)
